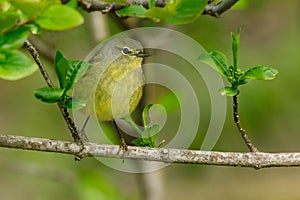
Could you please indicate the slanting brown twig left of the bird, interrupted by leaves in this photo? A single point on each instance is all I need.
(71, 125)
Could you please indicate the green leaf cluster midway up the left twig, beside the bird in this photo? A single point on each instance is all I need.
(68, 73)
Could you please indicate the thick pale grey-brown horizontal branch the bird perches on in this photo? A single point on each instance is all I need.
(253, 160)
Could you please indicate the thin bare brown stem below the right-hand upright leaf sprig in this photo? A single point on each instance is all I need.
(237, 122)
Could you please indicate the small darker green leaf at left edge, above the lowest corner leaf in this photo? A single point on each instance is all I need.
(14, 39)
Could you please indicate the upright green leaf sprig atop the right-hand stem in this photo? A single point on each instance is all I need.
(235, 76)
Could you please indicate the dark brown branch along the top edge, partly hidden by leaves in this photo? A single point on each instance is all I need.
(212, 9)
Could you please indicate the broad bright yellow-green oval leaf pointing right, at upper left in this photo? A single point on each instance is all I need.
(60, 17)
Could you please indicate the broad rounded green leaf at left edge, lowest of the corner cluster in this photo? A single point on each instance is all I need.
(15, 65)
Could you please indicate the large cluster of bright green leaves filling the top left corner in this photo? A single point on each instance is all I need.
(18, 19)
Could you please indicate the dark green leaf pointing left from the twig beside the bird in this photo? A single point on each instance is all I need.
(48, 94)
